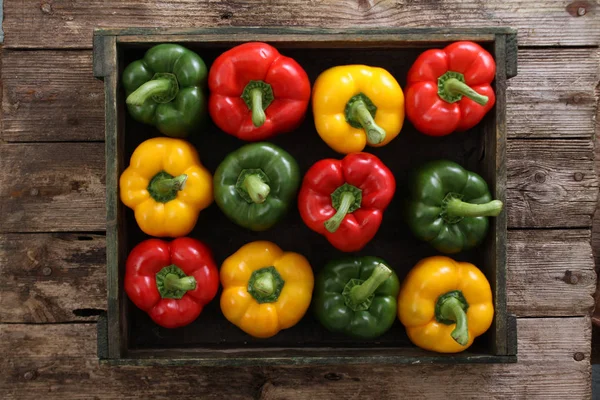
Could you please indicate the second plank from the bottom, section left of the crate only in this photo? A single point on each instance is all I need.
(52, 277)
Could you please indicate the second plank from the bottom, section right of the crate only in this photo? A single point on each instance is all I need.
(550, 273)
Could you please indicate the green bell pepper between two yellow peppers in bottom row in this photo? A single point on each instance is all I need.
(357, 296)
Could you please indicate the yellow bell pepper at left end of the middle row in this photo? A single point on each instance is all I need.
(166, 186)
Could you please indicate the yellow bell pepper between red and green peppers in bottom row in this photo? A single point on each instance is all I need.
(265, 289)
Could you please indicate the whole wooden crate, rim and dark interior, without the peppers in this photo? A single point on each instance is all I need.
(126, 335)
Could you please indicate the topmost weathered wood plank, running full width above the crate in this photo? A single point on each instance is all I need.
(51, 24)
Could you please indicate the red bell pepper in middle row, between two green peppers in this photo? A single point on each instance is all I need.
(345, 199)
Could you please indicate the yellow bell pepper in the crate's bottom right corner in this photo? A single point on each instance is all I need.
(444, 305)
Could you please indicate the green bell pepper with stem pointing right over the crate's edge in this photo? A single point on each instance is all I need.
(448, 206)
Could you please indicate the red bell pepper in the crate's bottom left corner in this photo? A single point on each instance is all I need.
(173, 281)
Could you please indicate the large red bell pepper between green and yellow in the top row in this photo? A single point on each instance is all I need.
(256, 92)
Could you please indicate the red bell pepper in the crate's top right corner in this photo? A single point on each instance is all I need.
(449, 89)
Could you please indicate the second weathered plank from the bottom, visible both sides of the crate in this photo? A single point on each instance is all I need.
(62, 277)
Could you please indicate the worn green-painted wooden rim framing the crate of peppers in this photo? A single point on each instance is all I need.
(112, 327)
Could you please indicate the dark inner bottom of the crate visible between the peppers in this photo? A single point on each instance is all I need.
(393, 242)
